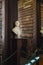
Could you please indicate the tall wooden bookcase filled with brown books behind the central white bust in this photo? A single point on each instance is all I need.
(27, 19)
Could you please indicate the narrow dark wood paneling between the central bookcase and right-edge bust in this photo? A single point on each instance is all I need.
(38, 23)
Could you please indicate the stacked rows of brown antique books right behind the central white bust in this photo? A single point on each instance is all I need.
(27, 18)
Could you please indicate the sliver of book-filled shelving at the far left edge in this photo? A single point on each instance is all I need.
(0, 31)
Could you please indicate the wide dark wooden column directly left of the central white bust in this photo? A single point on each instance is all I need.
(10, 45)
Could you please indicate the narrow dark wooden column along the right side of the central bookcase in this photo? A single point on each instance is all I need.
(38, 29)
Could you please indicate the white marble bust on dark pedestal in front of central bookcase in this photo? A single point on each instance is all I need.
(17, 30)
